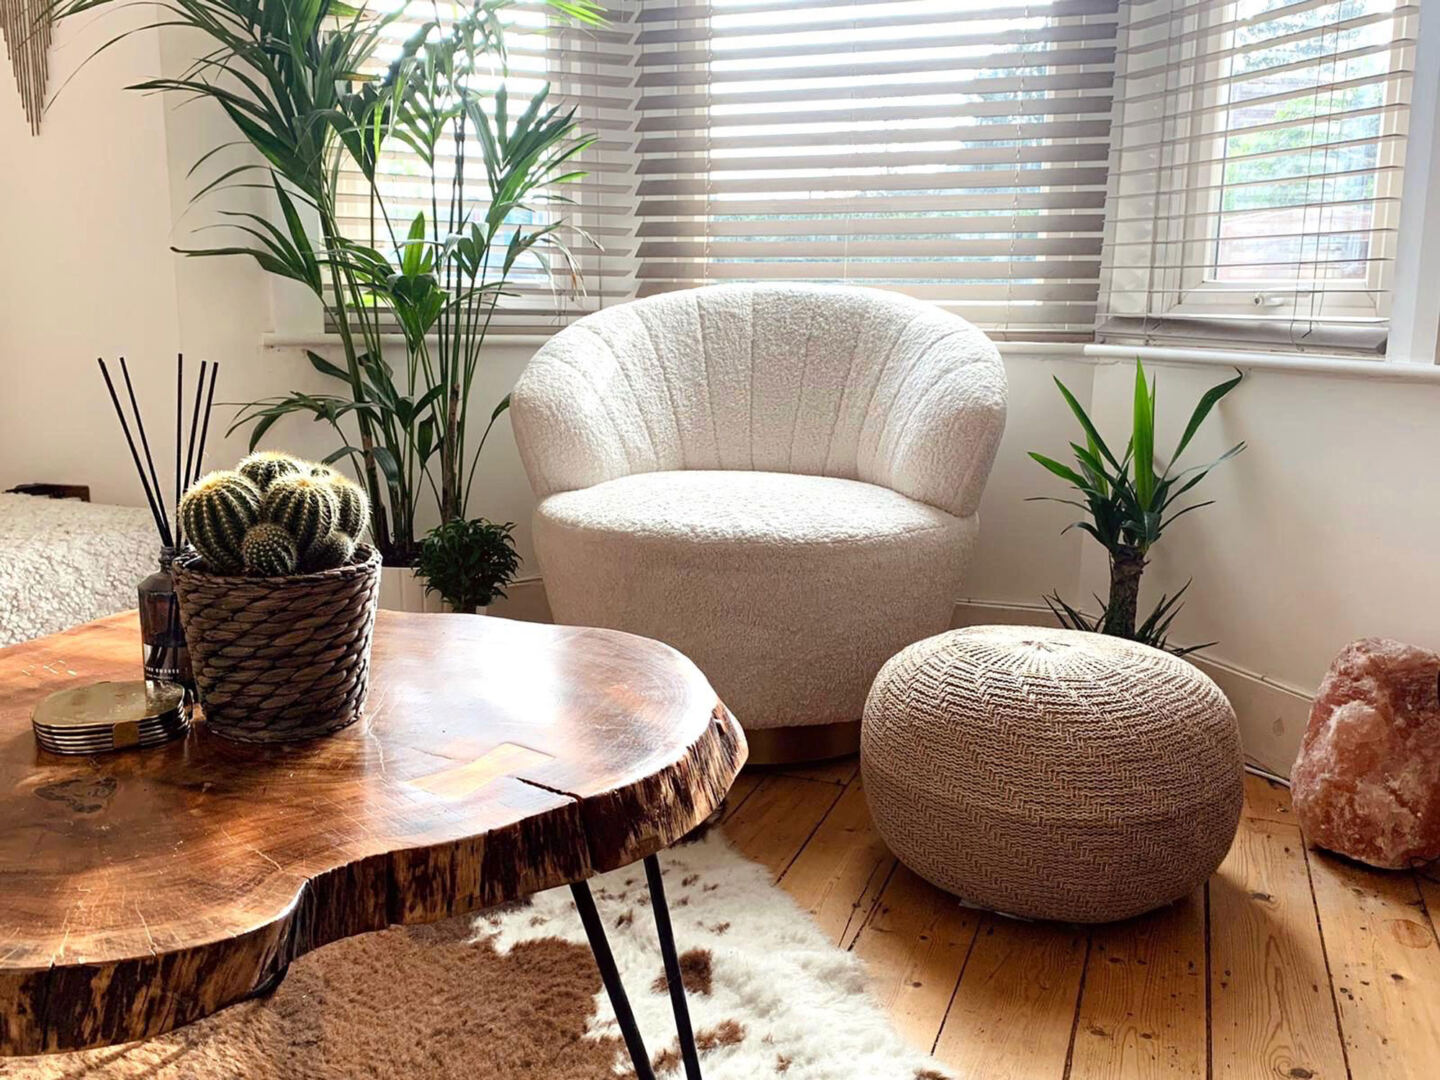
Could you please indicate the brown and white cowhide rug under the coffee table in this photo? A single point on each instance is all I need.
(515, 996)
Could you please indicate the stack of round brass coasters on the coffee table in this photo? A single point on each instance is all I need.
(112, 716)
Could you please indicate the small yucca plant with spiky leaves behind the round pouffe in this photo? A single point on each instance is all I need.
(1130, 503)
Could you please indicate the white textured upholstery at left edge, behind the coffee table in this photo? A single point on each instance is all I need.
(64, 562)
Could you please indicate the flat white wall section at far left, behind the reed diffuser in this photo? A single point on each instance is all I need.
(86, 215)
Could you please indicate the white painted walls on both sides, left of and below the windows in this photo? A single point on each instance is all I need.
(1323, 531)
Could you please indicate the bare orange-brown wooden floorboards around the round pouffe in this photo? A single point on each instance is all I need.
(1288, 966)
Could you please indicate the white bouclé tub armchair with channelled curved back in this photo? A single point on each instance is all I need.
(778, 480)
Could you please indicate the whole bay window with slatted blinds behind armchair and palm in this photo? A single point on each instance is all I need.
(1141, 172)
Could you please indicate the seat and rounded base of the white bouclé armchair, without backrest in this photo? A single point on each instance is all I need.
(790, 591)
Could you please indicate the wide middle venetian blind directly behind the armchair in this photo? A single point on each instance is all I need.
(954, 150)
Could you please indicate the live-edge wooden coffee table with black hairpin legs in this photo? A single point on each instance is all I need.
(145, 889)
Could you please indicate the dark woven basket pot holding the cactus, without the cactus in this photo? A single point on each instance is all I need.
(280, 659)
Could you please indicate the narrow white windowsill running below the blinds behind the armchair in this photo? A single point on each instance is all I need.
(1305, 364)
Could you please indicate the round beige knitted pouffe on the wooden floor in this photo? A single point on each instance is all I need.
(1052, 774)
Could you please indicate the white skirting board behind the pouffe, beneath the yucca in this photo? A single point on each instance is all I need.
(1272, 715)
